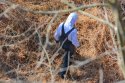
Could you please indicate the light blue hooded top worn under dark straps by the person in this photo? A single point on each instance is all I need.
(69, 24)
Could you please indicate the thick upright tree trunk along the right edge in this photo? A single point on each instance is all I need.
(120, 34)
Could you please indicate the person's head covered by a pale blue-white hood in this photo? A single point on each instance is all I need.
(72, 18)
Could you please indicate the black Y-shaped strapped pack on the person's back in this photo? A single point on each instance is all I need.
(64, 38)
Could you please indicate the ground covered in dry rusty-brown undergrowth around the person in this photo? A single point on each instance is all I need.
(20, 50)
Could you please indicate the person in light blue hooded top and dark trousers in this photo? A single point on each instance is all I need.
(66, 34)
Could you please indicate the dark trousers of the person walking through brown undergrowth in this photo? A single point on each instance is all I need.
(68, 53)
